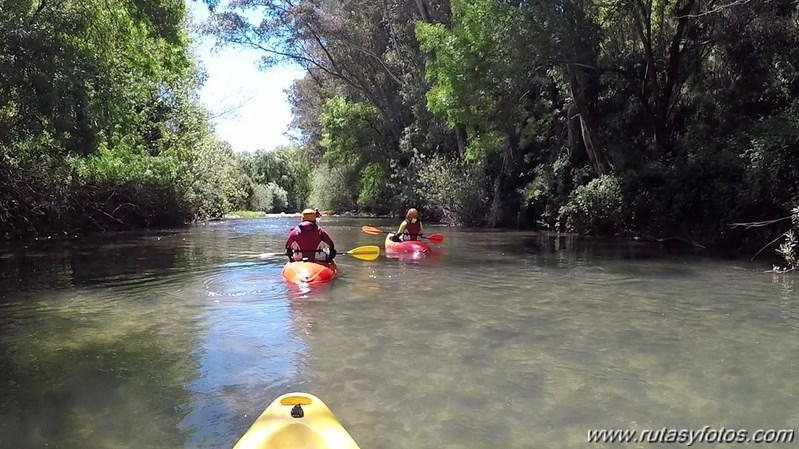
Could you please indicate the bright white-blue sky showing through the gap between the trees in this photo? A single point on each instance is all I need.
(261, 110)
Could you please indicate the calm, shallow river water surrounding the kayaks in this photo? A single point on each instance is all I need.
(179, 339)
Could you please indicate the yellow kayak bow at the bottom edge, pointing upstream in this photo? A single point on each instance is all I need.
(296, 421)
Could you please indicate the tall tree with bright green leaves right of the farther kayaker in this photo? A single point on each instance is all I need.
(482, 69)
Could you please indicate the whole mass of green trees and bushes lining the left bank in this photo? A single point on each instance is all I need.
(100, 128)
